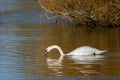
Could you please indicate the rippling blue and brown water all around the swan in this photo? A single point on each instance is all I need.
(23, 41)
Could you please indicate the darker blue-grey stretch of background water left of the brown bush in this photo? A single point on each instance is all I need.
(23, 12)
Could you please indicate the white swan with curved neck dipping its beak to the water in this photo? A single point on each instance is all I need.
(84, 50)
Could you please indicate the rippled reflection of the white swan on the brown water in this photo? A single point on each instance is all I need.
(83, 65)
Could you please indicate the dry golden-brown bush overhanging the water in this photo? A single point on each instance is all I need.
(98, 12)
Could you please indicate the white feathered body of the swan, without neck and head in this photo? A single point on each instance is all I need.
(85, 50)
